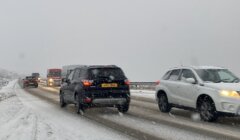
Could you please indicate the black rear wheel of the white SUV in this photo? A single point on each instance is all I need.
(163, 104)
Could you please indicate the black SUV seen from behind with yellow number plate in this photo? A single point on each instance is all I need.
(96, 86)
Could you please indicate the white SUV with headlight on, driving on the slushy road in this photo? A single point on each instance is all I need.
(213, 91)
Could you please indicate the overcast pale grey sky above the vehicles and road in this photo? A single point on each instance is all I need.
(144, 37)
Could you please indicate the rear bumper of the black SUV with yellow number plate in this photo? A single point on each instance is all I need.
(110, 101)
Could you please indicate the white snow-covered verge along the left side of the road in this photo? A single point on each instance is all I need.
(25, 117)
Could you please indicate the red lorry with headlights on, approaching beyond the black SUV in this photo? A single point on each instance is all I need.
(54, 77)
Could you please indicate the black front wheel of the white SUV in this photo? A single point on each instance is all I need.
(207, 110)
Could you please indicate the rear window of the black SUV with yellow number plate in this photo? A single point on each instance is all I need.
(107, 73)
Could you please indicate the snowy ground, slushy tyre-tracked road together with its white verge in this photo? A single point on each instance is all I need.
(34, 114)
